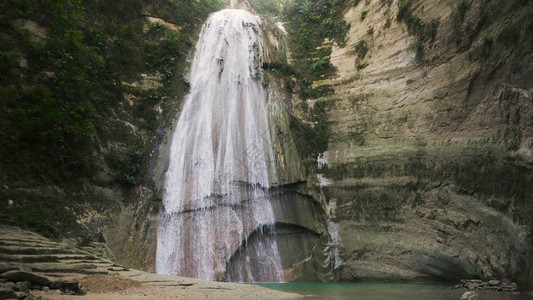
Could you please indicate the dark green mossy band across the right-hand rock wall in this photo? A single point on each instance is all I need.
(480, 169)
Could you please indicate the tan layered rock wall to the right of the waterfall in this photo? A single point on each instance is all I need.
(428, 169)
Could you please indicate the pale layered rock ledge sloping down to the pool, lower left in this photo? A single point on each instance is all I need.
(34, 267)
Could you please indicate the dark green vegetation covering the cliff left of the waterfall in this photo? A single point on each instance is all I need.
(66, 74)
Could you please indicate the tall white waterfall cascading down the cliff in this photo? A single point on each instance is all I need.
(216, 197)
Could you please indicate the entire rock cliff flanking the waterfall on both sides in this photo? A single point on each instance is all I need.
(423, 125)
